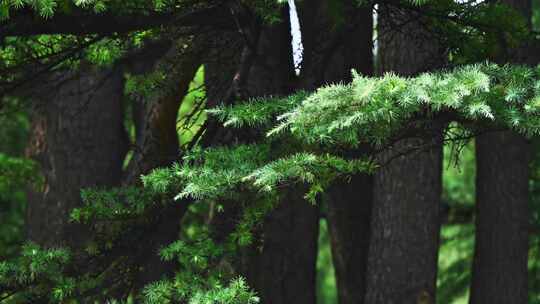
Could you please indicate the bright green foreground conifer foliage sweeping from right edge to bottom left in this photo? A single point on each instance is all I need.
(368, 110)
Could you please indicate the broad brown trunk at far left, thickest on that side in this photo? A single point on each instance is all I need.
(79, 140)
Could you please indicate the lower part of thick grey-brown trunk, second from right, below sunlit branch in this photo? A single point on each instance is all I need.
(402, 263)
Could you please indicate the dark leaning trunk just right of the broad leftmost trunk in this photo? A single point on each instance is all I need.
(157, 138)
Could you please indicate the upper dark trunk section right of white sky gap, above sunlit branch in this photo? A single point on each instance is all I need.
(334, 42)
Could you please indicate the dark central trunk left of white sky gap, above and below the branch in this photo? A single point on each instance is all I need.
(284, 271)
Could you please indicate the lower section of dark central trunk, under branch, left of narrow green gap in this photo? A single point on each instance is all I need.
(284, 271)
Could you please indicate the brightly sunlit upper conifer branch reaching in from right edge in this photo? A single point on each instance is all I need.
(372, 110)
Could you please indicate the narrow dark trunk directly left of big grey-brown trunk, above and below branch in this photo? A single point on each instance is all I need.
(349, 203)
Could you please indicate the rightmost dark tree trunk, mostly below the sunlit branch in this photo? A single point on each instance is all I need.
(502, 207)
